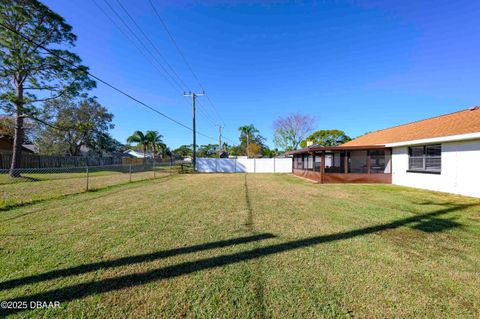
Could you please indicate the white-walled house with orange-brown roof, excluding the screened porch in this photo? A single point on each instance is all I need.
(440, 153)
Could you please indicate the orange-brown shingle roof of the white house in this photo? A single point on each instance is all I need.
(462, 122)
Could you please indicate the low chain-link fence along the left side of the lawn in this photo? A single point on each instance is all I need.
(28, 185)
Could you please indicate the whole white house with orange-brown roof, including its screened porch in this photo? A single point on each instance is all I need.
(440, 153)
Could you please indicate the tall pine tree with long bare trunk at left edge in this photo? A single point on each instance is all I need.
(28, 75)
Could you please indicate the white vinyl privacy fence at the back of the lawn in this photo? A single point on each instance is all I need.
(244, 165)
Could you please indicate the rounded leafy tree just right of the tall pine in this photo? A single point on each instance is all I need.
(74, 124)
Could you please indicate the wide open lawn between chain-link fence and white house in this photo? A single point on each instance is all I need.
(249, 246)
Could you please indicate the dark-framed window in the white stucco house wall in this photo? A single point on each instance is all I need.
(426, 158)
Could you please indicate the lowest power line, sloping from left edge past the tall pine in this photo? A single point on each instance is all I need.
(101, 80)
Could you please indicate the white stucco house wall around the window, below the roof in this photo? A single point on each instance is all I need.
(460, 169)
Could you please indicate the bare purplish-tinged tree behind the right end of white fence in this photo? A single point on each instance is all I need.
(291, 130)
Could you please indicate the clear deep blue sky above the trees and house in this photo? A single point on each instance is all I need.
(355, 66)
